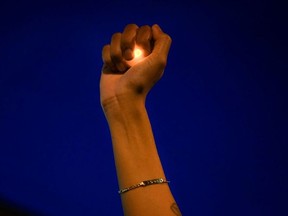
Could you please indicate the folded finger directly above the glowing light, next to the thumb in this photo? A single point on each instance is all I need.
(143, 39)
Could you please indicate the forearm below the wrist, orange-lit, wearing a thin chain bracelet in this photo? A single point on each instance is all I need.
(137, 159)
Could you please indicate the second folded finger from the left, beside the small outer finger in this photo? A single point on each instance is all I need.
(116, 52)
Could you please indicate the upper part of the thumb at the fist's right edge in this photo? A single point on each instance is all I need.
(162, 43)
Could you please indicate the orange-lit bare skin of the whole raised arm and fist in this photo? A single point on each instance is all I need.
(123, 91)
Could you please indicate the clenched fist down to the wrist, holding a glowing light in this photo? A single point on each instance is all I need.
(121, 81)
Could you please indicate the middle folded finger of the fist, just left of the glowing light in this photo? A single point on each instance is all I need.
(128, 40)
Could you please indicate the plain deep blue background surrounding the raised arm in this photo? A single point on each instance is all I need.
(219, 114)
